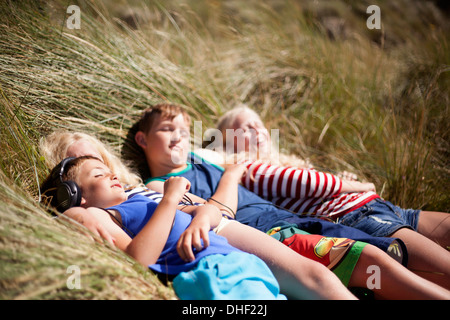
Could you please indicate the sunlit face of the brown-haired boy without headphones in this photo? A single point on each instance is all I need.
(167, 142)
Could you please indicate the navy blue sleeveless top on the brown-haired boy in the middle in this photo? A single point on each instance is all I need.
(260, 213)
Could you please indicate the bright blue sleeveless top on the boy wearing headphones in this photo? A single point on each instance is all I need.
(136, 212)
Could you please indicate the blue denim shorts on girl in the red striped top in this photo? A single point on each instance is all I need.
(380, 218)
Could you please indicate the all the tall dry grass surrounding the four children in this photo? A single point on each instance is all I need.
(375, 102)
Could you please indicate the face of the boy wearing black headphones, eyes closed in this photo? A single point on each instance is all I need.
(100, 188)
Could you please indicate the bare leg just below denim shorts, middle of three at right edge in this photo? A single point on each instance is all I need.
(425, 257)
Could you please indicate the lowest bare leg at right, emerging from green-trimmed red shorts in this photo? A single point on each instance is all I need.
(393, 281)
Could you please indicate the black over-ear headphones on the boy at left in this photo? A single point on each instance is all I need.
(67, 194)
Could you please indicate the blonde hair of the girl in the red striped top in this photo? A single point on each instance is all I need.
(226, 122)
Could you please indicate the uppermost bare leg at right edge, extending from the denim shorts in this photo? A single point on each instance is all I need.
(436, 226)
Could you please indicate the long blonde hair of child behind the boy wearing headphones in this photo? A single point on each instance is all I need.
(54, 149)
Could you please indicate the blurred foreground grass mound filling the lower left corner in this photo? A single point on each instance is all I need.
(37, 251)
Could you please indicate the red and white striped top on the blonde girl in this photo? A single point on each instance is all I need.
(304, 191)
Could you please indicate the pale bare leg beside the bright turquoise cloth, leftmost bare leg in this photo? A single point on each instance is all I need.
(299, 277)
